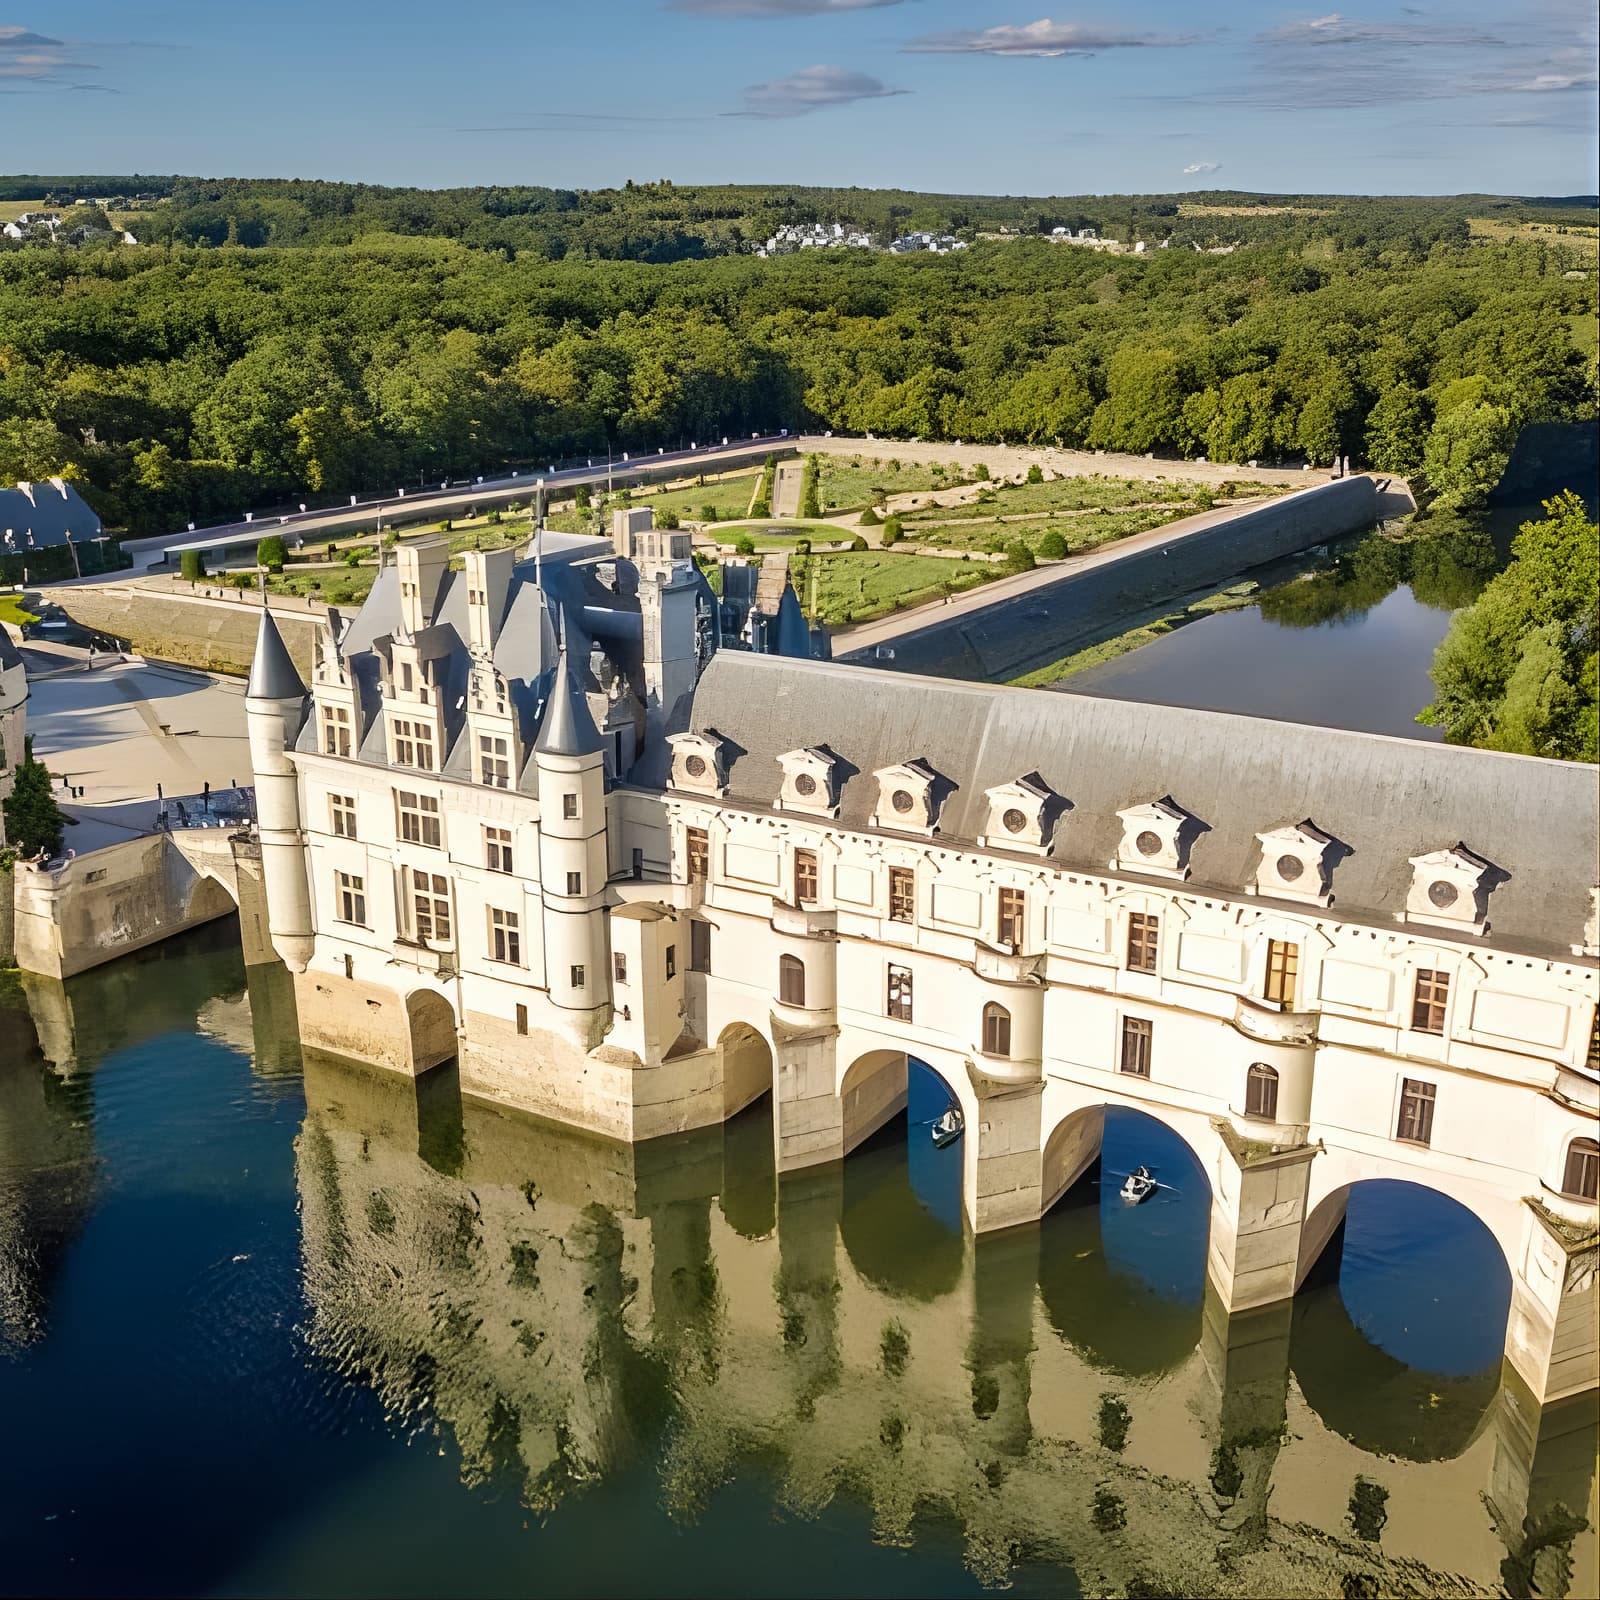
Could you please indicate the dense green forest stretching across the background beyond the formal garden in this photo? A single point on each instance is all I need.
(287, 338)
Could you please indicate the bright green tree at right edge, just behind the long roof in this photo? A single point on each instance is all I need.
(1519, 668)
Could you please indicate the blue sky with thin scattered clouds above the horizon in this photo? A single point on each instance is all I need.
(951, 95)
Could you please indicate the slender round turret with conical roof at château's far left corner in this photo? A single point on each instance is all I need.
(274, 710)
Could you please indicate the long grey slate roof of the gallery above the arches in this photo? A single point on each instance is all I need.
(1385, 799)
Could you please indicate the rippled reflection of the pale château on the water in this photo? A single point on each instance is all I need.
(570, 1310)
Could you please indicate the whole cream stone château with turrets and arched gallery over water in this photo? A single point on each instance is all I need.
(548, 820)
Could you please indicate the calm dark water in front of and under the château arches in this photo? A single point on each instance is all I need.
(274, 1327)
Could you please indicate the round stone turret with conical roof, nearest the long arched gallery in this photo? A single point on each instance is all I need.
(570, 762)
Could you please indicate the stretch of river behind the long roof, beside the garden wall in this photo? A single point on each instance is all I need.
(1343, 642)
